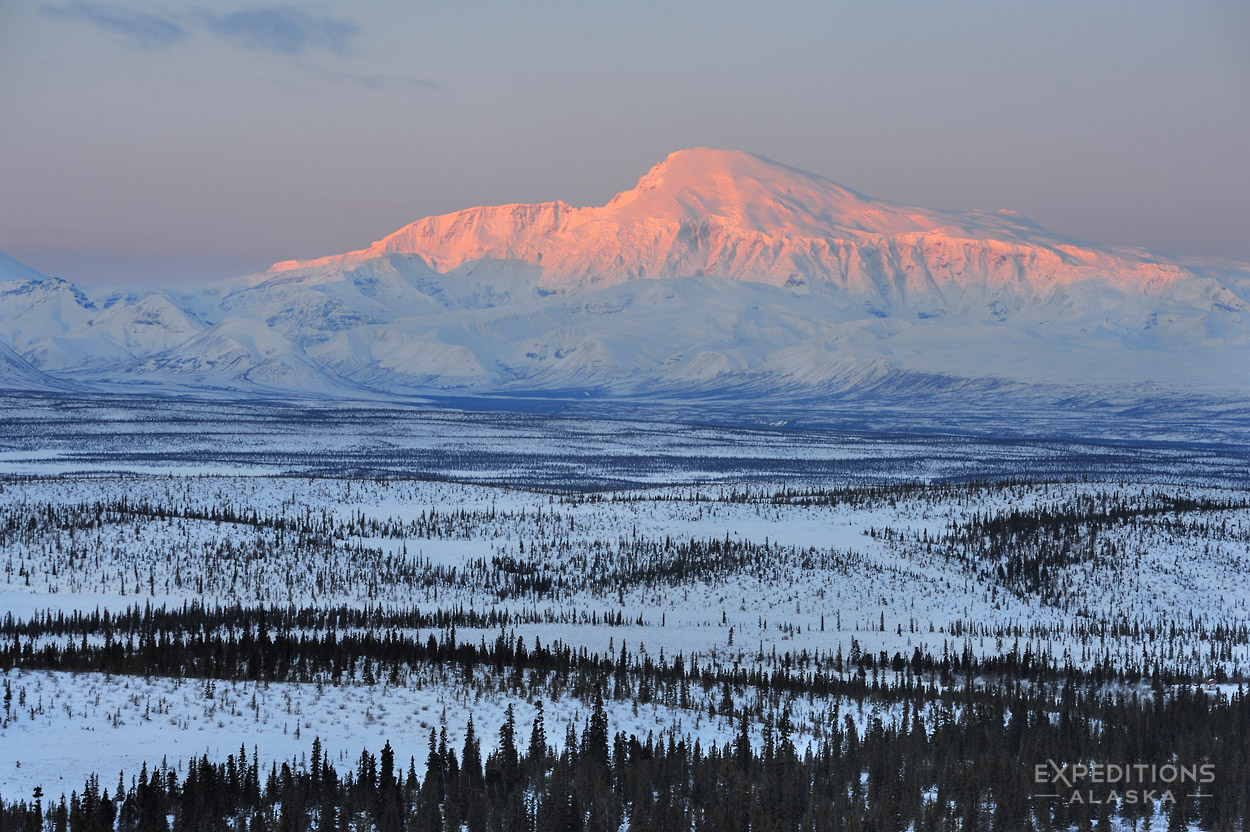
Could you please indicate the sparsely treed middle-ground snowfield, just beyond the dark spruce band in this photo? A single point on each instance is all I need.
(383, 543)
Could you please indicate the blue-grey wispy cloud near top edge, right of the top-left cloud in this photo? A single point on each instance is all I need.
(283, 31)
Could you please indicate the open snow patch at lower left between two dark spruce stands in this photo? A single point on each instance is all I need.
(73, 725)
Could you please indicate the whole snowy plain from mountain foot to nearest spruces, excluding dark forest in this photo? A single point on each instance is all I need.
(869, 569)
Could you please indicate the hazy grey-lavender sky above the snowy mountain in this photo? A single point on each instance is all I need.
(166, 143)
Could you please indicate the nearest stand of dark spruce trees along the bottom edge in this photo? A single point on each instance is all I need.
(961, 770)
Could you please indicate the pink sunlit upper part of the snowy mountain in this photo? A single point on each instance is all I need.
(742, 217)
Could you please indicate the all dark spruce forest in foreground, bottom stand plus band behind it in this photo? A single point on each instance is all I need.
(956, 751)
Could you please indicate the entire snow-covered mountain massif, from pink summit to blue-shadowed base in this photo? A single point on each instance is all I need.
(721, 274)
